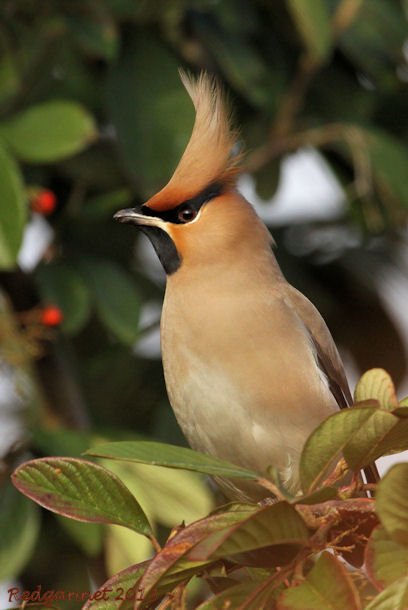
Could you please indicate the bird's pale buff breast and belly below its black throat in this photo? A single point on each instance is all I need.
(240, 366)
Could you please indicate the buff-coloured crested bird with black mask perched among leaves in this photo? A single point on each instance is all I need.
(250, 366)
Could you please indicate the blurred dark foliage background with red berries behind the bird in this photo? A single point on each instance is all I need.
(93, 118)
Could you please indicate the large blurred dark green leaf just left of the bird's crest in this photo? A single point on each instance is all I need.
(153, 116)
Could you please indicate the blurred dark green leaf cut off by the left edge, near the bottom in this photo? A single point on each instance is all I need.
(19, 528)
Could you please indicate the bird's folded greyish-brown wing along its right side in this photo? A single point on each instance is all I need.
(328, 357)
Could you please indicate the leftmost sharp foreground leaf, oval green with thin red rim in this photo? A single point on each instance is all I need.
(80, 490)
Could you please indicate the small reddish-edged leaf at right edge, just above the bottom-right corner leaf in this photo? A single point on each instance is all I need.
(385, 559)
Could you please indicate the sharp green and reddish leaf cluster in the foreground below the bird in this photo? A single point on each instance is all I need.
(329, 546)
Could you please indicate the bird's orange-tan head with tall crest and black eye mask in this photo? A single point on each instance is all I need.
(199, 216)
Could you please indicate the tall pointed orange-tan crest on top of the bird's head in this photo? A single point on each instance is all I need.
(208, 156)
